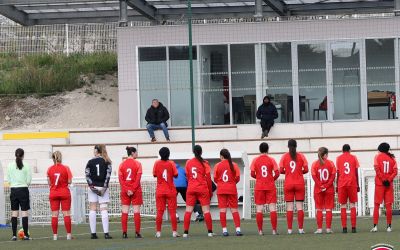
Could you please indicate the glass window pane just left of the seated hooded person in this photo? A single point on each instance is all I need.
(243, 84)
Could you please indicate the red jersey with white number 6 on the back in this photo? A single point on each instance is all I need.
(225, 179)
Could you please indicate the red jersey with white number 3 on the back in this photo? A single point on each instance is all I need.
(347, 167)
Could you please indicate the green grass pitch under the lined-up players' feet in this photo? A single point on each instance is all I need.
(42, 237)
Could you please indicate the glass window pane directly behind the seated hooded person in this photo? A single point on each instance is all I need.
(279, 79)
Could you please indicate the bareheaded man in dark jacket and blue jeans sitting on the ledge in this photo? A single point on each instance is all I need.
(157, 116)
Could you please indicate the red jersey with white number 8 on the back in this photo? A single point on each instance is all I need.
(265, 170)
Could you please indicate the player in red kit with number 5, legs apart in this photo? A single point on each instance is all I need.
(198, 173)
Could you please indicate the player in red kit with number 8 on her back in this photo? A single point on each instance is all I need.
(265, 170)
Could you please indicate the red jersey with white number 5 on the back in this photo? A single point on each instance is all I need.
(198, 175)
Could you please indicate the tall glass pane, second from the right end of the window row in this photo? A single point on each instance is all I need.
(346, 80)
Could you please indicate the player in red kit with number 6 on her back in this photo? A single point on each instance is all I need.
(226, 176)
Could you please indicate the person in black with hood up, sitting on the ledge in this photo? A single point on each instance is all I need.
(267, 113)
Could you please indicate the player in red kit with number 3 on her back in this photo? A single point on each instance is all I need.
(347, 186)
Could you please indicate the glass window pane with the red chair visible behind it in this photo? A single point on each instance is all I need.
(312, 82)
